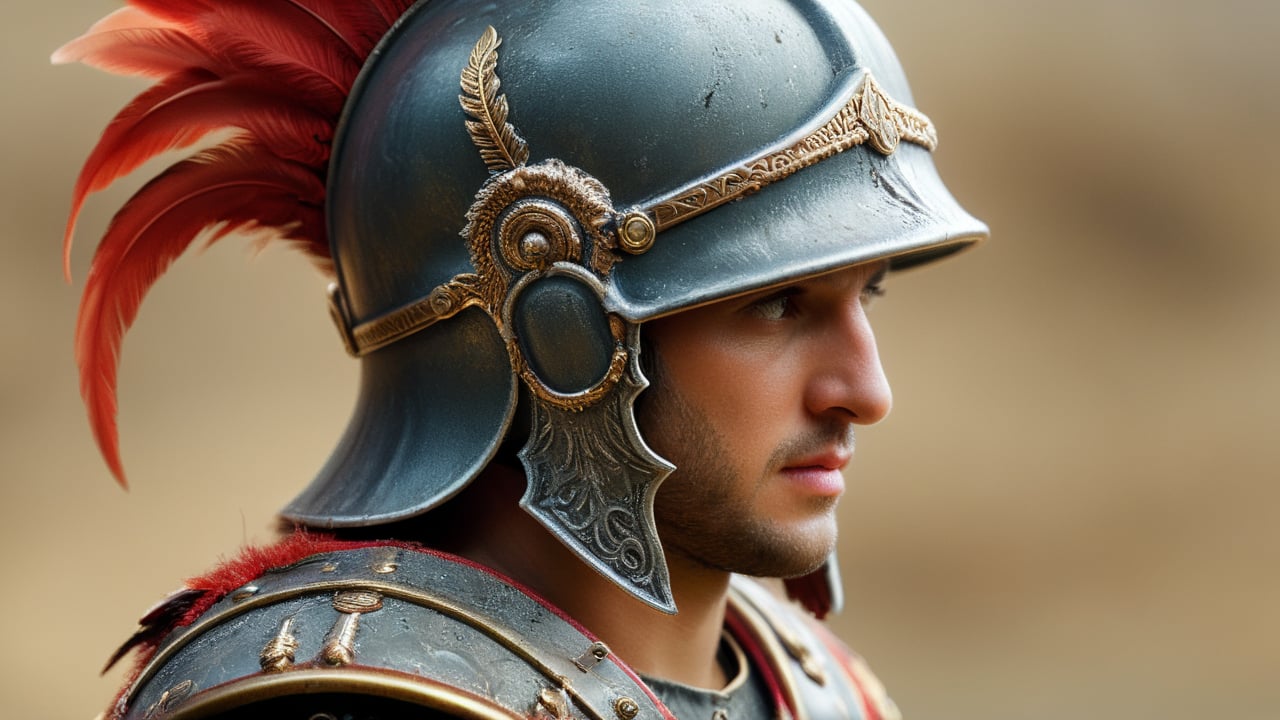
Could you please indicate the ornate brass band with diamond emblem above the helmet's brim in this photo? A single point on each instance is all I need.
(871, 116)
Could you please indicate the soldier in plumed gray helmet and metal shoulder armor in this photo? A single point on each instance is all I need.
(533, 212)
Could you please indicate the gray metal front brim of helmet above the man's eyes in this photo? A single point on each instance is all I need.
(854, 208)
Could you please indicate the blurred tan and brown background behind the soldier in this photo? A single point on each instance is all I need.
(1073, 512)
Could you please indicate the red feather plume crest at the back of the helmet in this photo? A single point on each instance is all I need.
(275, 72)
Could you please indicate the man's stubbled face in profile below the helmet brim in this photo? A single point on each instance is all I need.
(756, 400)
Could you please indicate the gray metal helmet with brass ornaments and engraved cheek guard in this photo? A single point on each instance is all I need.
(518, 186)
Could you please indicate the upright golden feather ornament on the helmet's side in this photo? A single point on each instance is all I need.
(501, 148)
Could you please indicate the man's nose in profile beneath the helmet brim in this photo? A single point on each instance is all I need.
(848, 380)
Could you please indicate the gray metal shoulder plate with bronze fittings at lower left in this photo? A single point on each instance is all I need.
(417, 628)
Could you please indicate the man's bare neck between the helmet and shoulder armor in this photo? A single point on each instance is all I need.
(678, 648)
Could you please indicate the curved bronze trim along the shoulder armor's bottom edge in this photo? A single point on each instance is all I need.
(418, 691)
